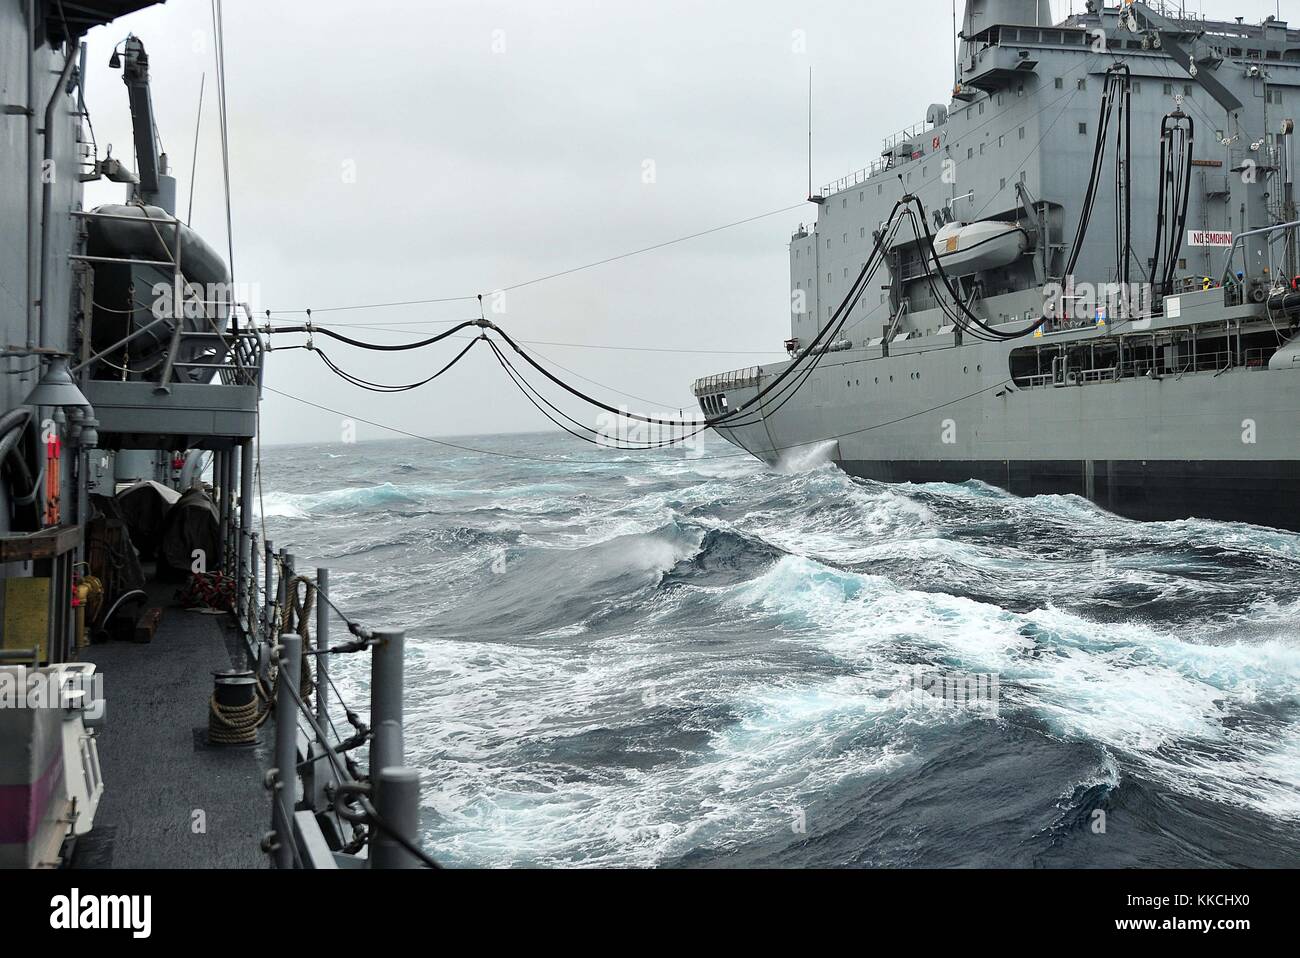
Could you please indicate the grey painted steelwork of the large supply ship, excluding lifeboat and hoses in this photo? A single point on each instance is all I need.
(1017, 144)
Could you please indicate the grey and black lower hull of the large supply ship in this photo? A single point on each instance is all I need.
(1208, 447)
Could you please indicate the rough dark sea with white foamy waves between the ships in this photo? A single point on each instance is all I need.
(651, 660)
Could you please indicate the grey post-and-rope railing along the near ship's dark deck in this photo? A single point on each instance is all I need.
(328, 813)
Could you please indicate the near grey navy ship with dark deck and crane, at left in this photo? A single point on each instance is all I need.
(158, 657)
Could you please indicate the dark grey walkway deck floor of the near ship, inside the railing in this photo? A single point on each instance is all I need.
(162, 782)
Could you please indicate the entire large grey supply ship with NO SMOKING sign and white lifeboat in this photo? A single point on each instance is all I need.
(1081, 276)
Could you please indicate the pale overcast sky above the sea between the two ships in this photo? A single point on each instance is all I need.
(398, 150)
